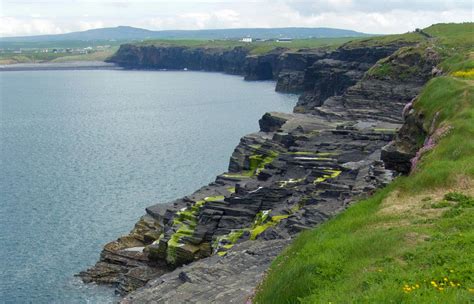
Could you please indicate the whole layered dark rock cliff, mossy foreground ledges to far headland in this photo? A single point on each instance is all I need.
(299, 170)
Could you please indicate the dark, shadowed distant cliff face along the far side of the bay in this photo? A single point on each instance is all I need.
(317, 73)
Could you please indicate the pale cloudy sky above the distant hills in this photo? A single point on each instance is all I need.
(36, 17)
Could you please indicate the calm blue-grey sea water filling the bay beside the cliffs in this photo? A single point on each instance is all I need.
(84, 152)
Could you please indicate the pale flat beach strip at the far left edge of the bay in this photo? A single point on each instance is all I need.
(73, 65)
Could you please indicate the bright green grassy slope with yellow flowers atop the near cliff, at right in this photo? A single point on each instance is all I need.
(407, 243)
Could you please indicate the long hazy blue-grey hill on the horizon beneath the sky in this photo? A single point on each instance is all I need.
(132, 33)
